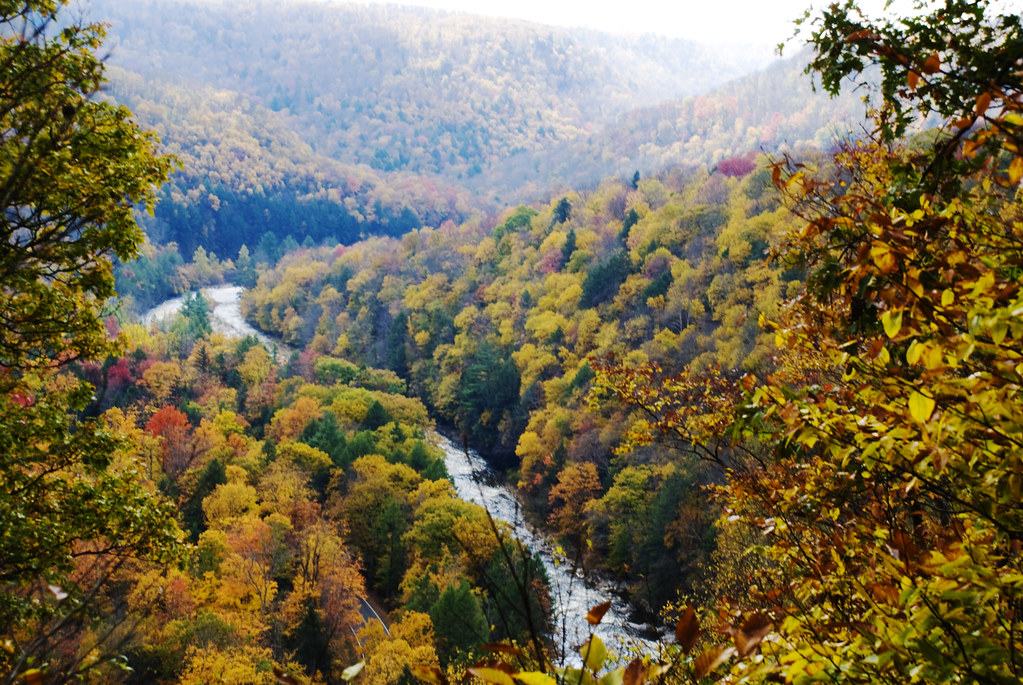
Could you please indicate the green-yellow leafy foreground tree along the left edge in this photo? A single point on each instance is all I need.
(74, 516)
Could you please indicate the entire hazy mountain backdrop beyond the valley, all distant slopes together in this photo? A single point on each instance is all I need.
(335, 121)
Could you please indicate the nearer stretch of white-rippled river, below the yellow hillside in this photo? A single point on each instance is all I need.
(573, 593)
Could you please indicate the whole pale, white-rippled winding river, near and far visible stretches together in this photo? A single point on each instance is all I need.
(572, 593)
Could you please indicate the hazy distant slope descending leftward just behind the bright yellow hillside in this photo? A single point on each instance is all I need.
(773, 111)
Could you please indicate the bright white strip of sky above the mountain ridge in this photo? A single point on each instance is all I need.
(767, 22)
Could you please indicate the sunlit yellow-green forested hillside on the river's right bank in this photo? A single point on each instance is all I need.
(497, 326)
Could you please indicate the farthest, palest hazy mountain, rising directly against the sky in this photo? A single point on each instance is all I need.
(401, 88)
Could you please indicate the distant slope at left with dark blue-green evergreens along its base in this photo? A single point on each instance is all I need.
(245, 173)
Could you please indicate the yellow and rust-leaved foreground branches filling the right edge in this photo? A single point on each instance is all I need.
(882, 458)
